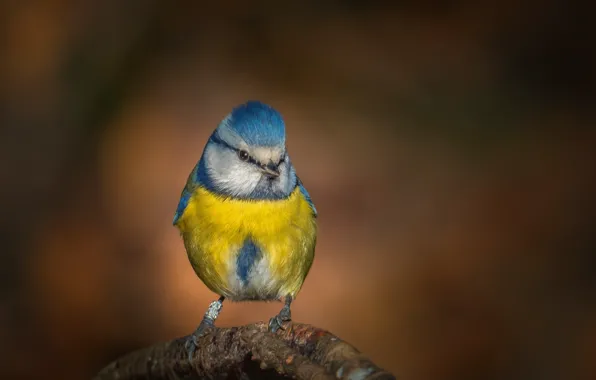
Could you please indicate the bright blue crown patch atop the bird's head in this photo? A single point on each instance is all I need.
(258, 124)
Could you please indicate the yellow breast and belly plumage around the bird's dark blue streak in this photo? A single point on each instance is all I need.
(215, 228)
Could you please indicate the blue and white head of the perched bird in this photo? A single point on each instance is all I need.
(246, 156)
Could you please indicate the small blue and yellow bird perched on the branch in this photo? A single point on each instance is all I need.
(247, 221)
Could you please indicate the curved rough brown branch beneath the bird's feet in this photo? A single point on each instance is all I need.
(299, 351)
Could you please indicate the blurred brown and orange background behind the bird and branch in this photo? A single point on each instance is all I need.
(449, 147)
